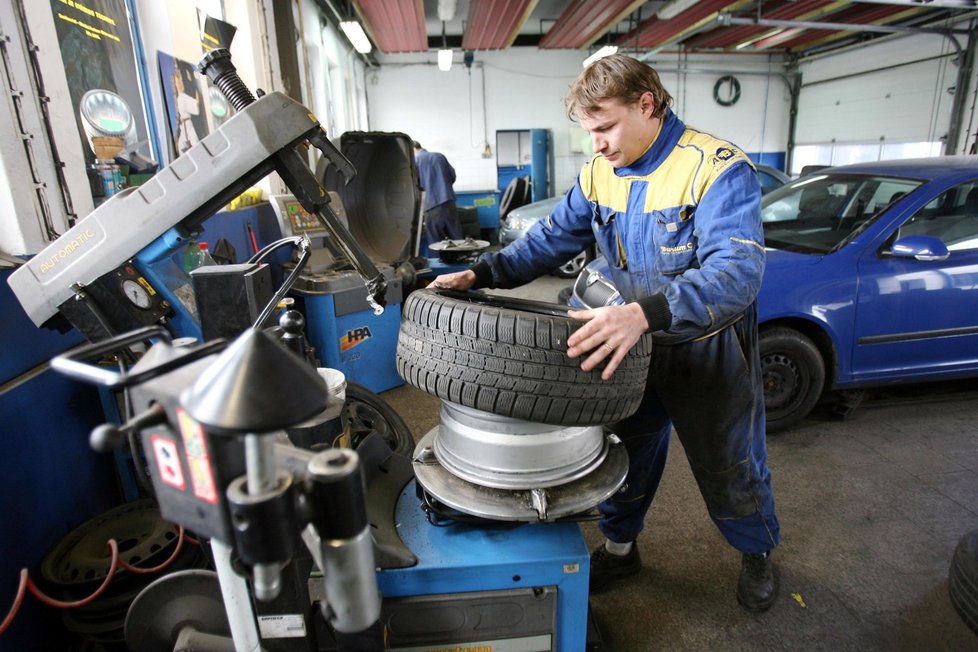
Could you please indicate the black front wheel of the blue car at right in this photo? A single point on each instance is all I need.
(794, 375)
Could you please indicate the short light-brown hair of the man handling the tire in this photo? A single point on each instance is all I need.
(615, 77)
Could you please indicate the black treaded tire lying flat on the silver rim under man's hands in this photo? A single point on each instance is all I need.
(509, 357)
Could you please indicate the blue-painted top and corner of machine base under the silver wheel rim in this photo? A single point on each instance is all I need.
(469, 559)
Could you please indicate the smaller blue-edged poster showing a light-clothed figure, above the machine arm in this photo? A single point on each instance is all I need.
(186, 107)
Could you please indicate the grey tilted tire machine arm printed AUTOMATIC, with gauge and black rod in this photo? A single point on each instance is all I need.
(87, 274)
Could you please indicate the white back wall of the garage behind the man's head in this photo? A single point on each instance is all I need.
(456, 112)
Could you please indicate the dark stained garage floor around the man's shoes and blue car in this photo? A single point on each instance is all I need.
(871, 509)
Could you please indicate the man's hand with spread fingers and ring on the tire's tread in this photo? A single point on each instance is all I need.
(609, 331)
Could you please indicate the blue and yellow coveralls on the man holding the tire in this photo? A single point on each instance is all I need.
(681, 230)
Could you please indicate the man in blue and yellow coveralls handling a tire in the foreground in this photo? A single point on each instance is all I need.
(676, 212)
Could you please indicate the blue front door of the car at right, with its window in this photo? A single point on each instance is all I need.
(918, 319)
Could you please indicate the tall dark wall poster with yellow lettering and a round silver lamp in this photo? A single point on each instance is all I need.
(100, 65)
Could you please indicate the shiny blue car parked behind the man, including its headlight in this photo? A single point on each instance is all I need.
(871, 279)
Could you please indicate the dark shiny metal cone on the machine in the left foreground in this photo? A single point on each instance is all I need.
(256, 385)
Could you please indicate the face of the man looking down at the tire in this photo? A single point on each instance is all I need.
(621, 132)
